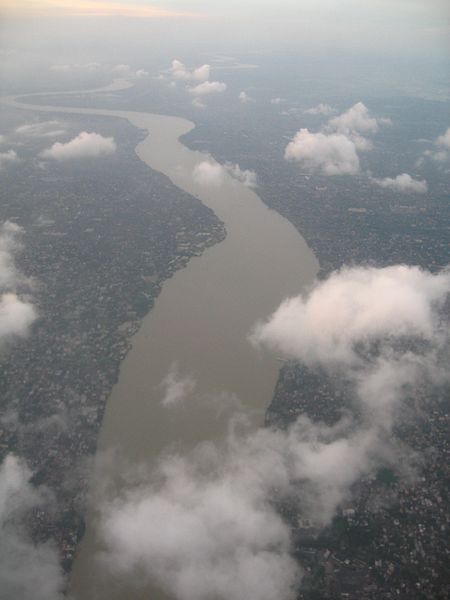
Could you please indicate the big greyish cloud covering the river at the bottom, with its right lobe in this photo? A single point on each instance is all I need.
(206, 525)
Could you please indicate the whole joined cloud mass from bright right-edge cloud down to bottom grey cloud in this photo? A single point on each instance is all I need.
(206, 524)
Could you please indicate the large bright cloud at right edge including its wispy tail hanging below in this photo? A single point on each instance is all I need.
(384, 331)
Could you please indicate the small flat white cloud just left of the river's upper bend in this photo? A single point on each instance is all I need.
(84, 145)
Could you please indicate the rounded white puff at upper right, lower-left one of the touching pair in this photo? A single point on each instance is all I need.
(331, 154)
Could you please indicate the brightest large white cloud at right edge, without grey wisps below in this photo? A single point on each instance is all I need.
(354, 307)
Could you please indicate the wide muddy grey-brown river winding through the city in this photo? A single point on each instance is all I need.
(198, 328)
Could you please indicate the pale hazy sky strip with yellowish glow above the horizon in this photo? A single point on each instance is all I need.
(396, 24)
